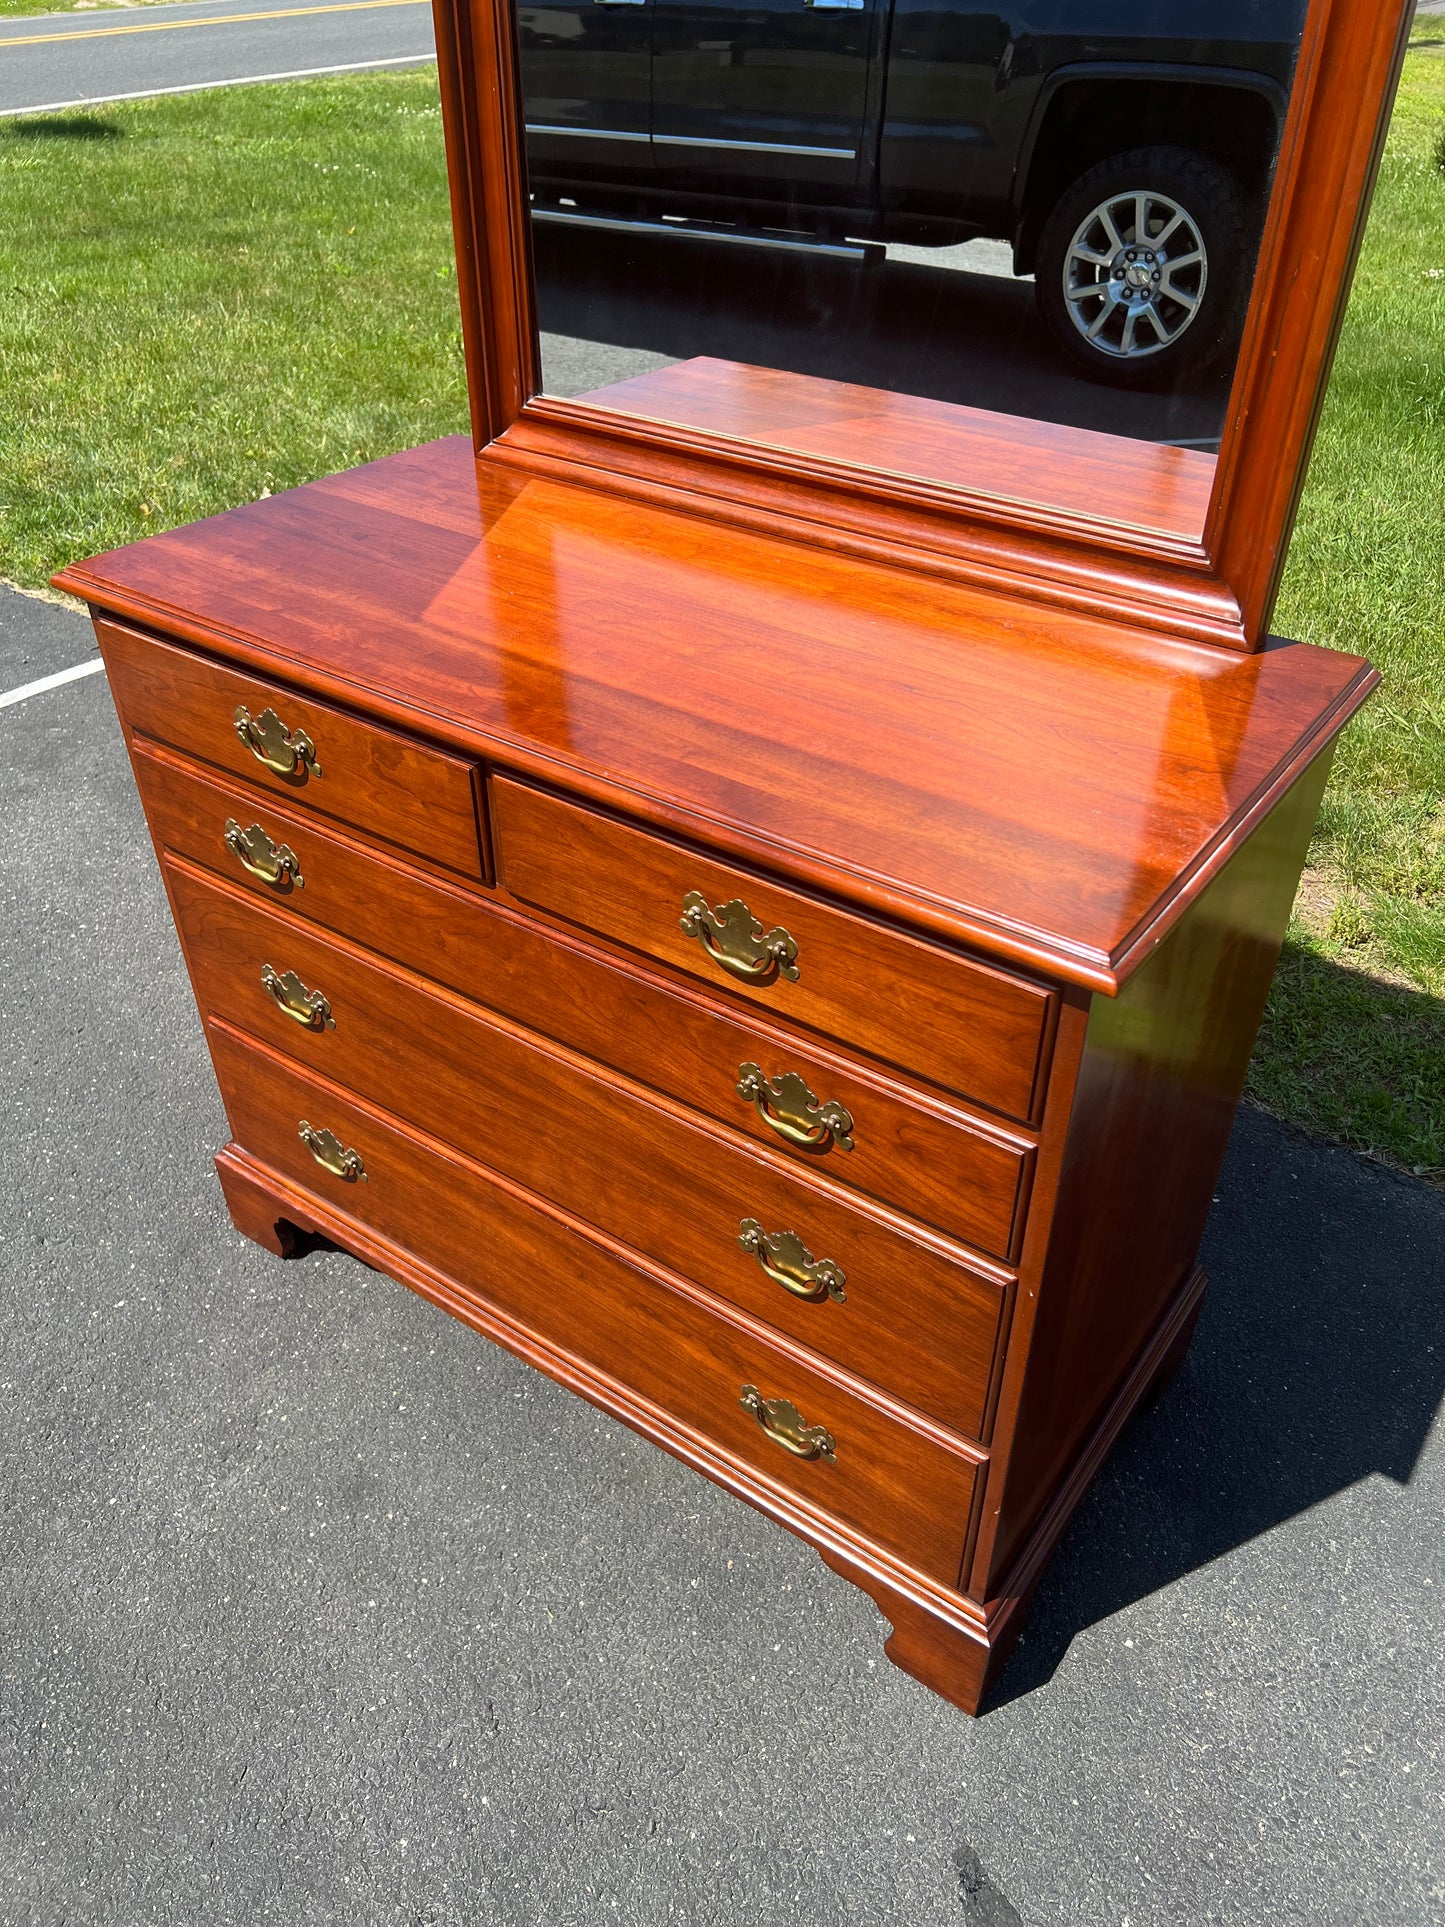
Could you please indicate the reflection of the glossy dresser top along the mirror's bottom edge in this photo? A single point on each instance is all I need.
(1149, 485)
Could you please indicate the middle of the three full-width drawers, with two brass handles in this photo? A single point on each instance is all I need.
(866, 1294)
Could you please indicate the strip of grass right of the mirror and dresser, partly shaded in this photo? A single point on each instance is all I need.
(1355, 1036)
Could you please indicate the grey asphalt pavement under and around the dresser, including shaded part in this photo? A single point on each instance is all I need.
(319, 1608)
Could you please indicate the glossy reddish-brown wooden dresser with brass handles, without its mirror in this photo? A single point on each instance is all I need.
(795, 1003)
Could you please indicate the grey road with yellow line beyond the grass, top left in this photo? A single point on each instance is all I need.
(51, 63)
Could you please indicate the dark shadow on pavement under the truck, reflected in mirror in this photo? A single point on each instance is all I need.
(941, 332)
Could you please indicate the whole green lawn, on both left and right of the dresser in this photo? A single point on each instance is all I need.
(213, 296)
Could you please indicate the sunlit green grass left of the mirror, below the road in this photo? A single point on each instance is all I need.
(213, 296)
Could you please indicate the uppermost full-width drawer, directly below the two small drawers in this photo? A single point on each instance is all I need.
(916, 1153)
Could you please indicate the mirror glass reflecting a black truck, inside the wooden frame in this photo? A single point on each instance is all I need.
(908, 234)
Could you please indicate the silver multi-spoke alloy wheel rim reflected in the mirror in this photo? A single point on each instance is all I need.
(1136, 275)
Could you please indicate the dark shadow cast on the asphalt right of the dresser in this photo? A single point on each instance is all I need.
(1319, 1361)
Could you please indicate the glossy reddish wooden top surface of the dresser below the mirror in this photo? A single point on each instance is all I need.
(1043, 787)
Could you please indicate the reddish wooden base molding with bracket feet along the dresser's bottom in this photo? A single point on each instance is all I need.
(945, 1641)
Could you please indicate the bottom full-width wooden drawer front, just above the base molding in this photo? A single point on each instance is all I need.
(889, 1481)
